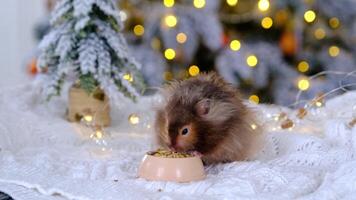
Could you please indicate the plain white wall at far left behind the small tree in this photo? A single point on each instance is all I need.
(17, 21)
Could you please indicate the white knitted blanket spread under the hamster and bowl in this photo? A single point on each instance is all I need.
(42, 156)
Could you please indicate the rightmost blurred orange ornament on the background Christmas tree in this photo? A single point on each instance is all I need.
(288, 43)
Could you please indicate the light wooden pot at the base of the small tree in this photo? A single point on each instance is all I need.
(81, 103)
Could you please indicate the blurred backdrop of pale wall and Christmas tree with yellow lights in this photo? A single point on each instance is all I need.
(271, 49)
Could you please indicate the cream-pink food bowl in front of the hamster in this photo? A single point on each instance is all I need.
(171, 169)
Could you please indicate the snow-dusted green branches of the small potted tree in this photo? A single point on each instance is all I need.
(86, 46)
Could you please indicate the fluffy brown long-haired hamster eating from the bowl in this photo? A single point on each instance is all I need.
(207, 116)
